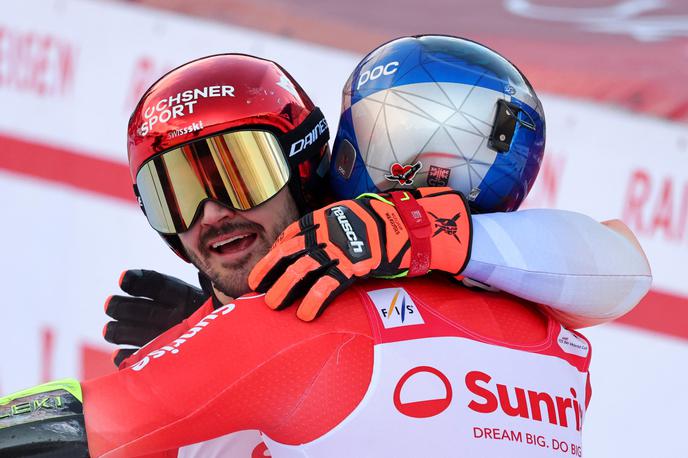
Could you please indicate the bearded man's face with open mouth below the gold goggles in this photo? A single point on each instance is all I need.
(225, 244)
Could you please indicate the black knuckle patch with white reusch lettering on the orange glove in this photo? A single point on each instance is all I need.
(344, 227)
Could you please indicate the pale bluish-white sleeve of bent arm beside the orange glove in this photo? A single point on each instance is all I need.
(584, 271)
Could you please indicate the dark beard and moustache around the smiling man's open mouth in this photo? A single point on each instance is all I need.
(231, 279)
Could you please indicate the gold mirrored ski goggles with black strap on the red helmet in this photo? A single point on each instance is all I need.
(241, 169)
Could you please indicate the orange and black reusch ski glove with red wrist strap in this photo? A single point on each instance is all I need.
(400, 233)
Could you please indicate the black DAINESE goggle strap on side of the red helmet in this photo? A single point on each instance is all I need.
(307, 139)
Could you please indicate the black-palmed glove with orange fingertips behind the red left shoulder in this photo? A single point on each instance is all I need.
(156, 303)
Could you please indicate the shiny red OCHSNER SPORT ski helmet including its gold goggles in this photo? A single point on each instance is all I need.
(232, 128)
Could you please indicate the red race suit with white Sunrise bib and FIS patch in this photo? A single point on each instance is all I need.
(403, 368)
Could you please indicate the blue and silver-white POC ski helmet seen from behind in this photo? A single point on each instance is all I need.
(434, 110)
